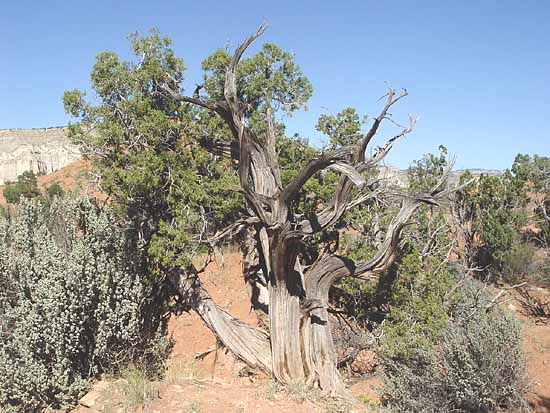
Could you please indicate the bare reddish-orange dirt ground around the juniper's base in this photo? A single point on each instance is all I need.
(218, 383)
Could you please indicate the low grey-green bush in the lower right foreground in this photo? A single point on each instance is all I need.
(476, 365)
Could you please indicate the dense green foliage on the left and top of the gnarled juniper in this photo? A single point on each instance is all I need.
(146, 145)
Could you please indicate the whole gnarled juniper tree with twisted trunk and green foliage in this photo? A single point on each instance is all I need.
(166, 157)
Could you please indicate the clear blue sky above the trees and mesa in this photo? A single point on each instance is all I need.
(478, 72)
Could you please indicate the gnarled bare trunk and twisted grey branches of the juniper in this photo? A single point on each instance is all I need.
(300, 346)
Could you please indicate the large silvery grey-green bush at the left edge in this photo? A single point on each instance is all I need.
(74, 303)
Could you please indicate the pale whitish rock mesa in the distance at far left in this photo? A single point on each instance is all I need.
(42, 151)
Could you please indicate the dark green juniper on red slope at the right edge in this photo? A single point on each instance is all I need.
(497, 210)
